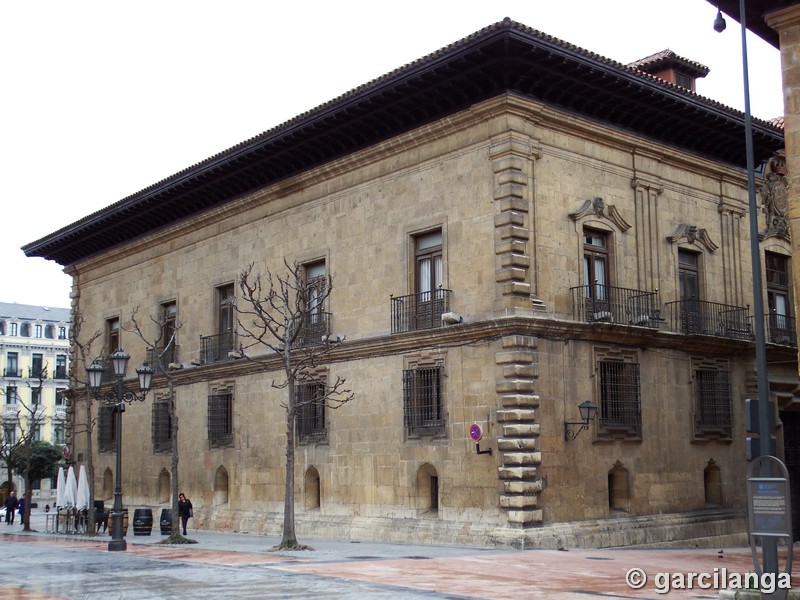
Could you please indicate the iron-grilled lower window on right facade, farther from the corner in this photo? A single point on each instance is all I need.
(713, 403)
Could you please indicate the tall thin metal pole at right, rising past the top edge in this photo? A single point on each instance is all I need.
(765, 428)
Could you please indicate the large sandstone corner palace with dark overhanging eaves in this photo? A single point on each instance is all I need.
(514, 226)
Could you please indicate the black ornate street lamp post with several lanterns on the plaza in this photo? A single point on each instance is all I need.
(118, 397)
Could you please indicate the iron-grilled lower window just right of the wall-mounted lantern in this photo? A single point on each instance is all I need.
(620, 398)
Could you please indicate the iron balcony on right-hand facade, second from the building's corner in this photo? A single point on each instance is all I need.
(710, 318)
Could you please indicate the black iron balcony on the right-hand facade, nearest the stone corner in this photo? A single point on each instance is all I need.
(609, 304)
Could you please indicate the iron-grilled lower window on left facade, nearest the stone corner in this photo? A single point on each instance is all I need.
(423, 409)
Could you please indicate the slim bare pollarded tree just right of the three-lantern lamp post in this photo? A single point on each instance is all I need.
(161, 350)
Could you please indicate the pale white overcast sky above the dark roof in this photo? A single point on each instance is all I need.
(101, 99)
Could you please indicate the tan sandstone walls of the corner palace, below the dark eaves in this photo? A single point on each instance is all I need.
(513, 185)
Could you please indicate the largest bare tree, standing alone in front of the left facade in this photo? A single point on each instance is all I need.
(277, 311)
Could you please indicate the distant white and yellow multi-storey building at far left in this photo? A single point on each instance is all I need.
(34, 348)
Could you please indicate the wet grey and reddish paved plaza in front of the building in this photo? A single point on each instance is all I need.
(41, 566)
